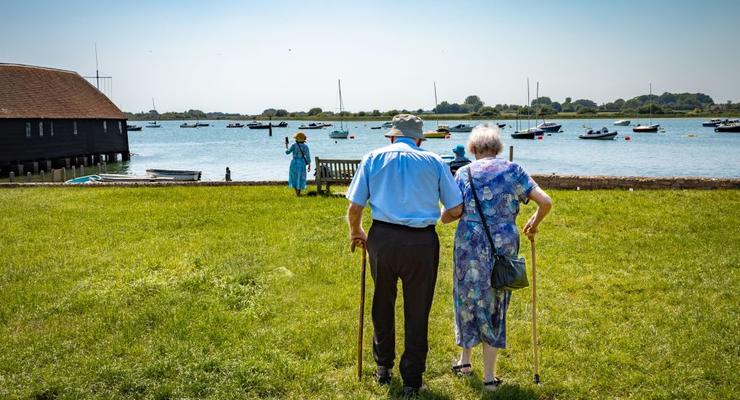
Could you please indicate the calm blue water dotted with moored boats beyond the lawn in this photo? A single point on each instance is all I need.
(685, 149)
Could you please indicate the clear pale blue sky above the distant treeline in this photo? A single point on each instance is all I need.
(246, 56)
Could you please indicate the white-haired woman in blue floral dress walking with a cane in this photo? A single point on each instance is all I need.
(501, 186)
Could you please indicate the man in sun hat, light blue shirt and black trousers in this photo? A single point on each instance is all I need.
(404, 186)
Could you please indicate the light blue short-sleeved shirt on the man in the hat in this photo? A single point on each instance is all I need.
(404, 185)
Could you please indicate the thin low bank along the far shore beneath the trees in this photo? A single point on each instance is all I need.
(442, 117)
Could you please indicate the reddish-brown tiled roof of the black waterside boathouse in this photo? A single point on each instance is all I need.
(28, 91)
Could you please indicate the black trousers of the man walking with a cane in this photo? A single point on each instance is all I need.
(411, 254)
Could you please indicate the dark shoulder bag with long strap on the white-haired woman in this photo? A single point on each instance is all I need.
(509, 273)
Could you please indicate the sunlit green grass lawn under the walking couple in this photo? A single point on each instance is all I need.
(245, 292)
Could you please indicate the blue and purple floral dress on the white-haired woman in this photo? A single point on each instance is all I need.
(480, 311)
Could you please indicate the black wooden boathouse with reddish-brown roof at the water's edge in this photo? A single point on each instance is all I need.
(55, 118)
